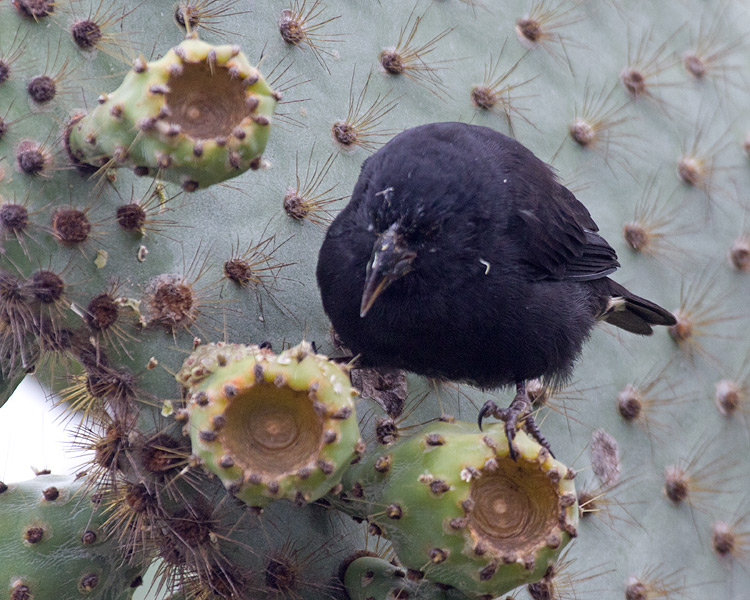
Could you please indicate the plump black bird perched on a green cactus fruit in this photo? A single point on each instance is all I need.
(460, 256)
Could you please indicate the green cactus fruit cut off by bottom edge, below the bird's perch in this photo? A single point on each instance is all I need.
(374, 577)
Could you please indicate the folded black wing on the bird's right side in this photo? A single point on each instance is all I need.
(561, 238)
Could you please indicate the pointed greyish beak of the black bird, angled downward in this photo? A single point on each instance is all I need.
(390, 260)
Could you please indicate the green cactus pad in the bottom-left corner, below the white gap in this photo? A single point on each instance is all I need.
(53, 544)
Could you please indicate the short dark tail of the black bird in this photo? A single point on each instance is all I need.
(632, 313)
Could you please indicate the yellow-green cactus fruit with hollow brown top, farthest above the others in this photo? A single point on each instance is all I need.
(197, 116)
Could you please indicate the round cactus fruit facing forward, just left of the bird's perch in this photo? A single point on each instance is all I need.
(271, 426)
